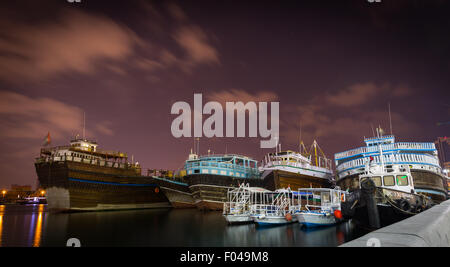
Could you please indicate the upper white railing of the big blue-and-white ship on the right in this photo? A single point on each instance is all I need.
(386, 147)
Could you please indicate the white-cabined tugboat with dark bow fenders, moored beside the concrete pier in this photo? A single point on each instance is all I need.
(386, 194)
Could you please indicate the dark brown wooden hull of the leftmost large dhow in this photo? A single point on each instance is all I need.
(74, 186)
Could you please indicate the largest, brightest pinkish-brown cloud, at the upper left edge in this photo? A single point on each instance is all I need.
(75, 42)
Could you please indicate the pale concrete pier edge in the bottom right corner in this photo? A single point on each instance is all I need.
(430, 228)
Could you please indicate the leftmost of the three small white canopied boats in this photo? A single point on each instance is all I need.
(239, 200)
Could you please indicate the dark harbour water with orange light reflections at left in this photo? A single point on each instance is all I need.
(32, 225)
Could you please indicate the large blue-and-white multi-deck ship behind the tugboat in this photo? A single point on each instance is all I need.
(421, 158)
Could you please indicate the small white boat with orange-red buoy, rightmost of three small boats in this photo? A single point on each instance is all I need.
(322, 206)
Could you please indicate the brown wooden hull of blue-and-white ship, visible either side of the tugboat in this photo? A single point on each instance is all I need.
(425, 182)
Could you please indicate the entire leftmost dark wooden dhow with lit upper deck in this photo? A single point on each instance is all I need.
(80, 177)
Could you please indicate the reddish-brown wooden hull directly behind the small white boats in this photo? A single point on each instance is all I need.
(278, 179)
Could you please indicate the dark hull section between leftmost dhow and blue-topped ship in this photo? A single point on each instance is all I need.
(177, 192)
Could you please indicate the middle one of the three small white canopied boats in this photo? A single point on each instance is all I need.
(276, 208)
